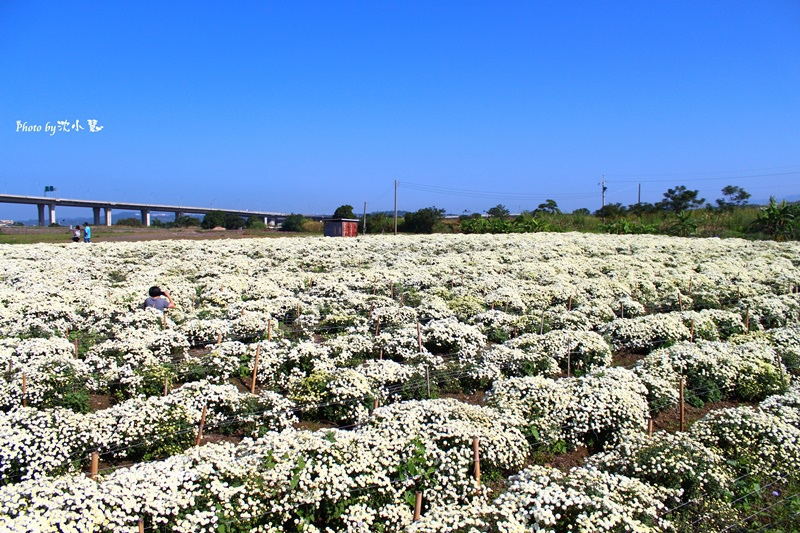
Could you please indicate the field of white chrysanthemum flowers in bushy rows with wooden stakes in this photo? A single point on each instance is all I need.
(383, 367)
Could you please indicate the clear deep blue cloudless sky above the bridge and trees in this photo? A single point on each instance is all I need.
(304, 106)
